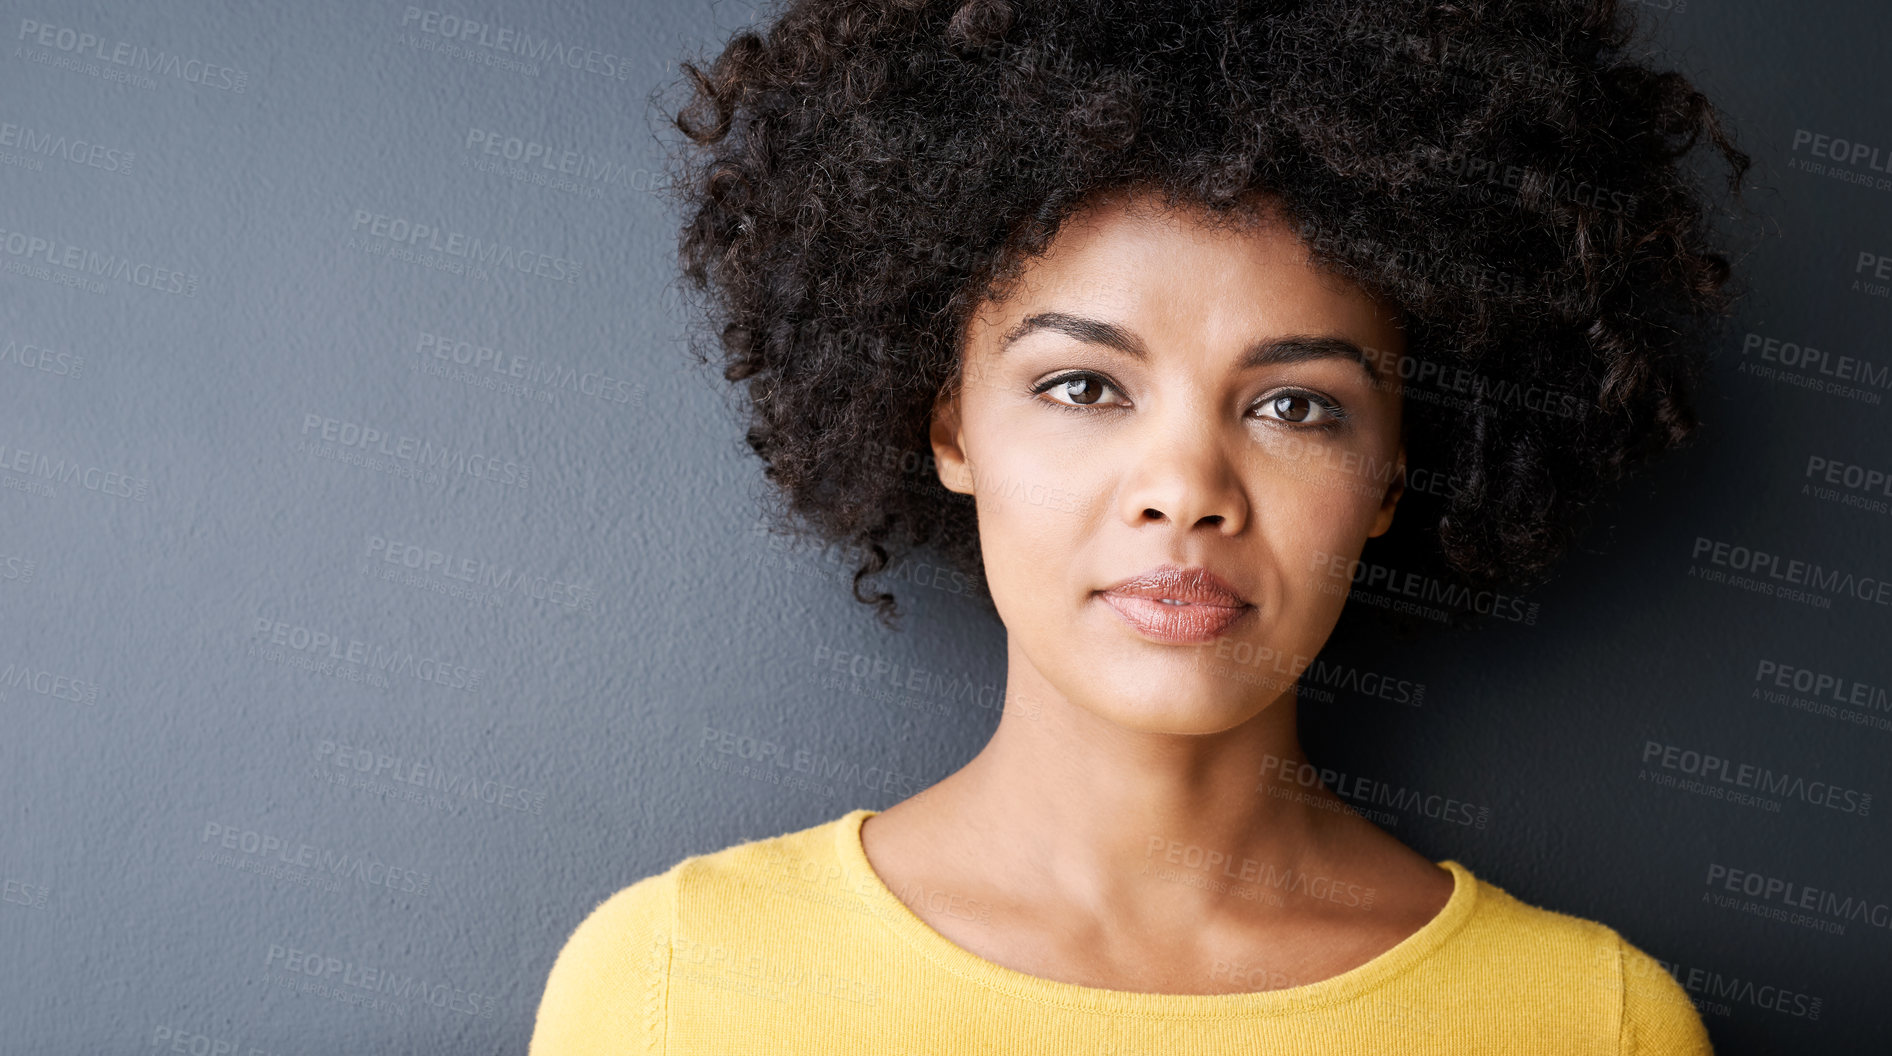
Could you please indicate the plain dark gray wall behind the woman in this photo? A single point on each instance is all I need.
(222, 675)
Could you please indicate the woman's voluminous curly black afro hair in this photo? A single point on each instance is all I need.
(856, 177)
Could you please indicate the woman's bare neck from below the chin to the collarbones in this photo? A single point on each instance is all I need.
(1068, 803)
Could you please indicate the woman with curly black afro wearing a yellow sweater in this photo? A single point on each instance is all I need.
(1170, 294)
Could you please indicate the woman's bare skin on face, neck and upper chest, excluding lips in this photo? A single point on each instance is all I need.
(1051, 851)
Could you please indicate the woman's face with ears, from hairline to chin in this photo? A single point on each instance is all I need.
(1138, 404)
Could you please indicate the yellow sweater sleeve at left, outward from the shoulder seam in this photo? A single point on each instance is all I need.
(610, 983)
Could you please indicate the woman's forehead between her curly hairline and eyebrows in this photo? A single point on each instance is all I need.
(1191, 275)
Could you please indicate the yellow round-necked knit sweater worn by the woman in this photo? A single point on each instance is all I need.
(794, 945)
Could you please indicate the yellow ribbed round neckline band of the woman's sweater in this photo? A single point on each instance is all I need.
(966, 964)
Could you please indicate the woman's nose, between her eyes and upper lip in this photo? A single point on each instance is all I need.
(1183, 474)
